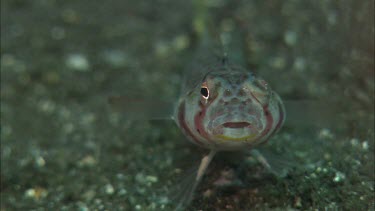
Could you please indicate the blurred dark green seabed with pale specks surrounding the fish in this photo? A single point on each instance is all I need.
(62, 148)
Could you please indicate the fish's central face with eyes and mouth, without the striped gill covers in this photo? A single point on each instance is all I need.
(233, 102)
